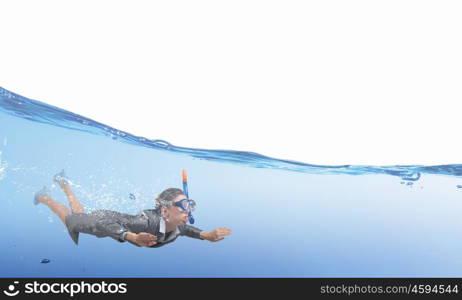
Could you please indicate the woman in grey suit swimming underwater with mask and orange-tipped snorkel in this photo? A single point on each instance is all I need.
(150, 228)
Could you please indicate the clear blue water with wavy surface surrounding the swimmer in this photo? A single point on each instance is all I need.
(289, 219)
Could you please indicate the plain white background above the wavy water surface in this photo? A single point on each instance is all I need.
(328, 82)
